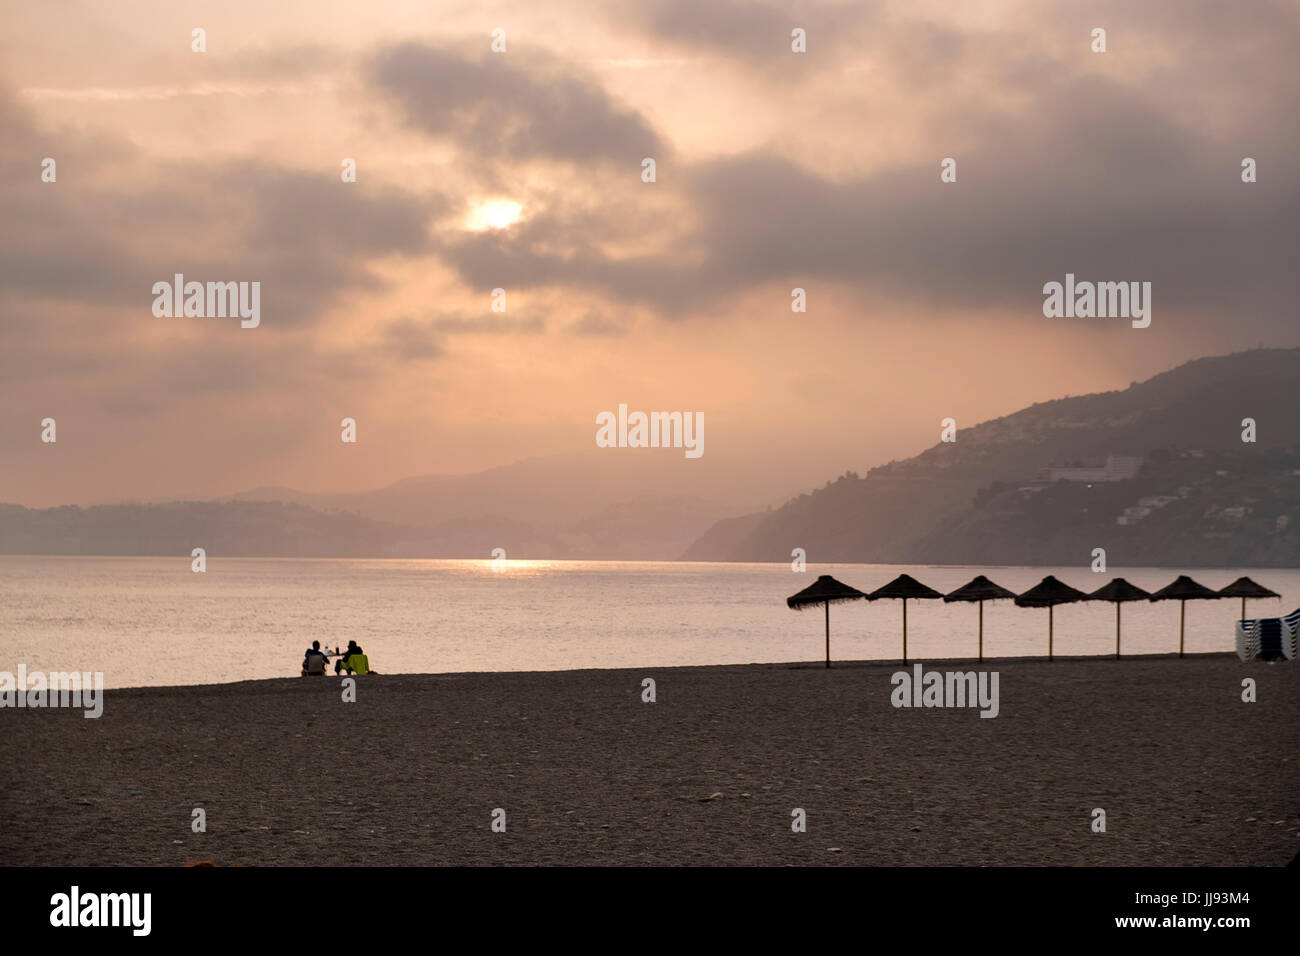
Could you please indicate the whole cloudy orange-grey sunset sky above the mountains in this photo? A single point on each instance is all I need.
(523, 171)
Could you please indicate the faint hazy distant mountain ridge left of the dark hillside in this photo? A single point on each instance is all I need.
(565, 507)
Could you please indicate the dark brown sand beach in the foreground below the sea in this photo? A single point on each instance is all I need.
(590, 775)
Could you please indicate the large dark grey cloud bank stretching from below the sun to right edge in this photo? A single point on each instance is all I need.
(1090, 178)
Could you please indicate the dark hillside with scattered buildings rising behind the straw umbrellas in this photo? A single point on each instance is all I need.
(1211, 499)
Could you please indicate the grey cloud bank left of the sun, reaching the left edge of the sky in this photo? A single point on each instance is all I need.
(103, 235)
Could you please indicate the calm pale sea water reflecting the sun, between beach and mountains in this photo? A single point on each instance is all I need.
(154, 622)
